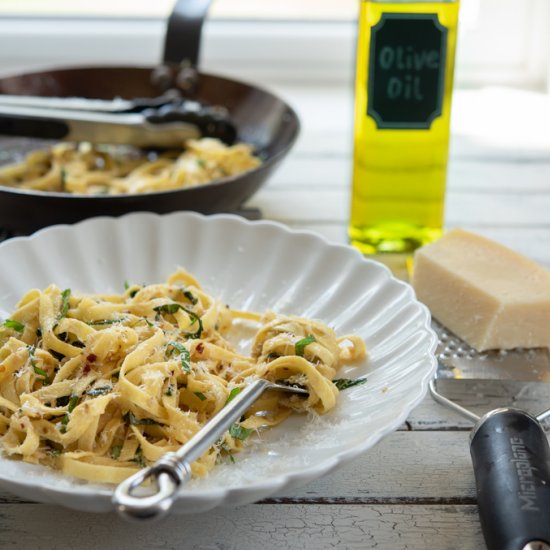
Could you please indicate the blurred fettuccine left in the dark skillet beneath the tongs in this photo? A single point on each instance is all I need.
(88, 170)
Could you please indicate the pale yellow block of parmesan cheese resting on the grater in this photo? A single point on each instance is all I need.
(487, 294)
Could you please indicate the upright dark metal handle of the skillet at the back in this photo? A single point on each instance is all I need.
(183, 35)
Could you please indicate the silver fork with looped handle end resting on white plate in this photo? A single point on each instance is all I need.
(173, 470)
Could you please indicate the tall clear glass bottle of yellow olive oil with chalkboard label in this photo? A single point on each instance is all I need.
(404, 80)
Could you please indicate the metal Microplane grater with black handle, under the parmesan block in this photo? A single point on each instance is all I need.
(509, 448)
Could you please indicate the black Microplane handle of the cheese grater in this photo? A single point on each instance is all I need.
(511, 459)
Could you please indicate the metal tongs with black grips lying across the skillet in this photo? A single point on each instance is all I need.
(162, 122)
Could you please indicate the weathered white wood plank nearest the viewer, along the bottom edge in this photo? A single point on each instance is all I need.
(266, 526)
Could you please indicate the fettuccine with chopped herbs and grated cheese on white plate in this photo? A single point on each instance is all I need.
(101, 385)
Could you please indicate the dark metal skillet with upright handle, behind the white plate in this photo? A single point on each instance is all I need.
(262, 120)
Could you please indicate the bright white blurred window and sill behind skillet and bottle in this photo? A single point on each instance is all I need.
(303, 41)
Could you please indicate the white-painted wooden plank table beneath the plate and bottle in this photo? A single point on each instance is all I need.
(415, 489)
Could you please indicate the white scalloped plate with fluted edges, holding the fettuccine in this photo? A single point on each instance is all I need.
(252, 266)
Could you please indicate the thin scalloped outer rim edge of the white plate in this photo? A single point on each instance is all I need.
(270, 485)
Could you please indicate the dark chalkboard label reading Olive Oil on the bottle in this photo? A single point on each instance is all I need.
(406, 70)
